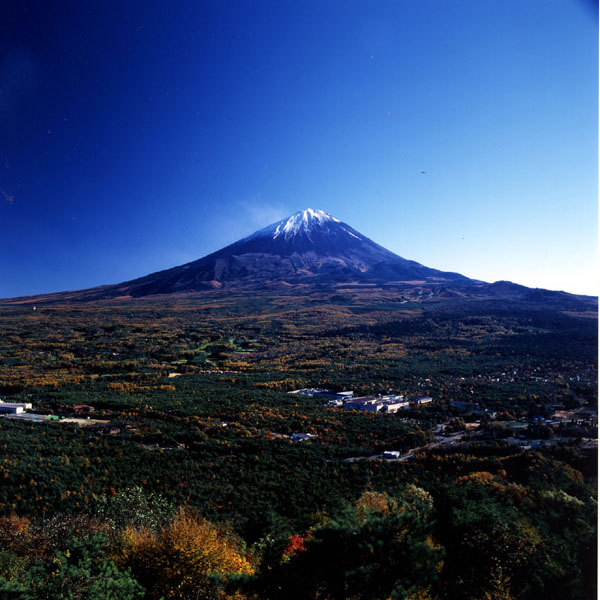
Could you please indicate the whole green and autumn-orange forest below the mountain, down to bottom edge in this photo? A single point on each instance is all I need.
(184, 481)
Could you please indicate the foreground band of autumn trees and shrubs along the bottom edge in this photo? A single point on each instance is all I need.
(523, 528)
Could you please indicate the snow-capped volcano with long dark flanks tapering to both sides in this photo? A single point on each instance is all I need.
(311, 249)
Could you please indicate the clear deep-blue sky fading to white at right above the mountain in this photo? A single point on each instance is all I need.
(136, 136)
